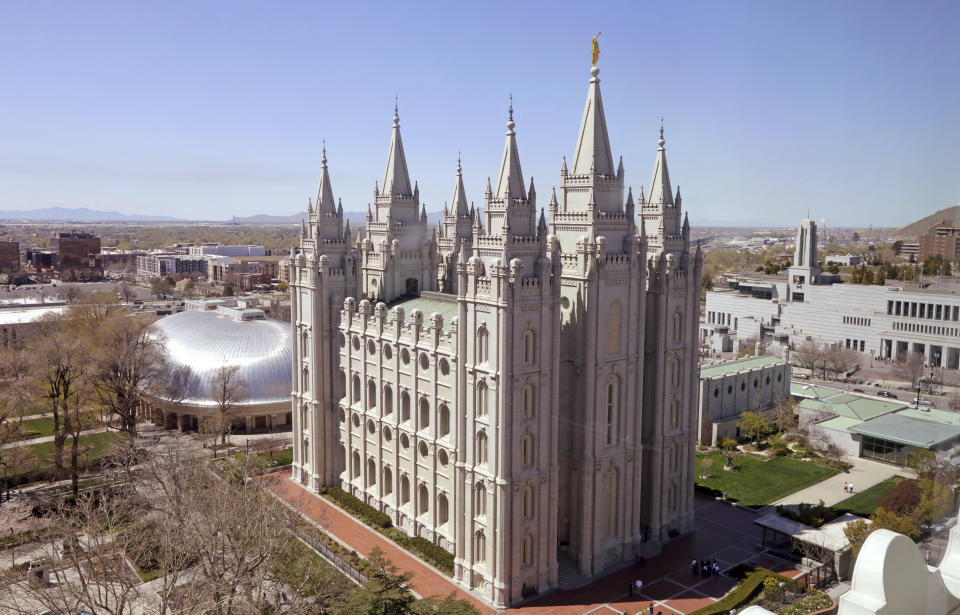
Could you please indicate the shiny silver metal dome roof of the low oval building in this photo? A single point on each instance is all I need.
(199, 342)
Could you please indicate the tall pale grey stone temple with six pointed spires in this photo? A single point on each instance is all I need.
(518, 388)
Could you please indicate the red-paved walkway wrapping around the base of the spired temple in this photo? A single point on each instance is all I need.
(724, 532)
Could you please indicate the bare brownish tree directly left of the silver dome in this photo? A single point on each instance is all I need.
(128, 361)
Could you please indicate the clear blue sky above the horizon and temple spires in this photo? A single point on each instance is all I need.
(212, 109)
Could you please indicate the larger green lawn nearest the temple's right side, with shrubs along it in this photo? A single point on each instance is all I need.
(755, 483)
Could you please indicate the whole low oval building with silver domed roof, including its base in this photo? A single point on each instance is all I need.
(199, 343)
